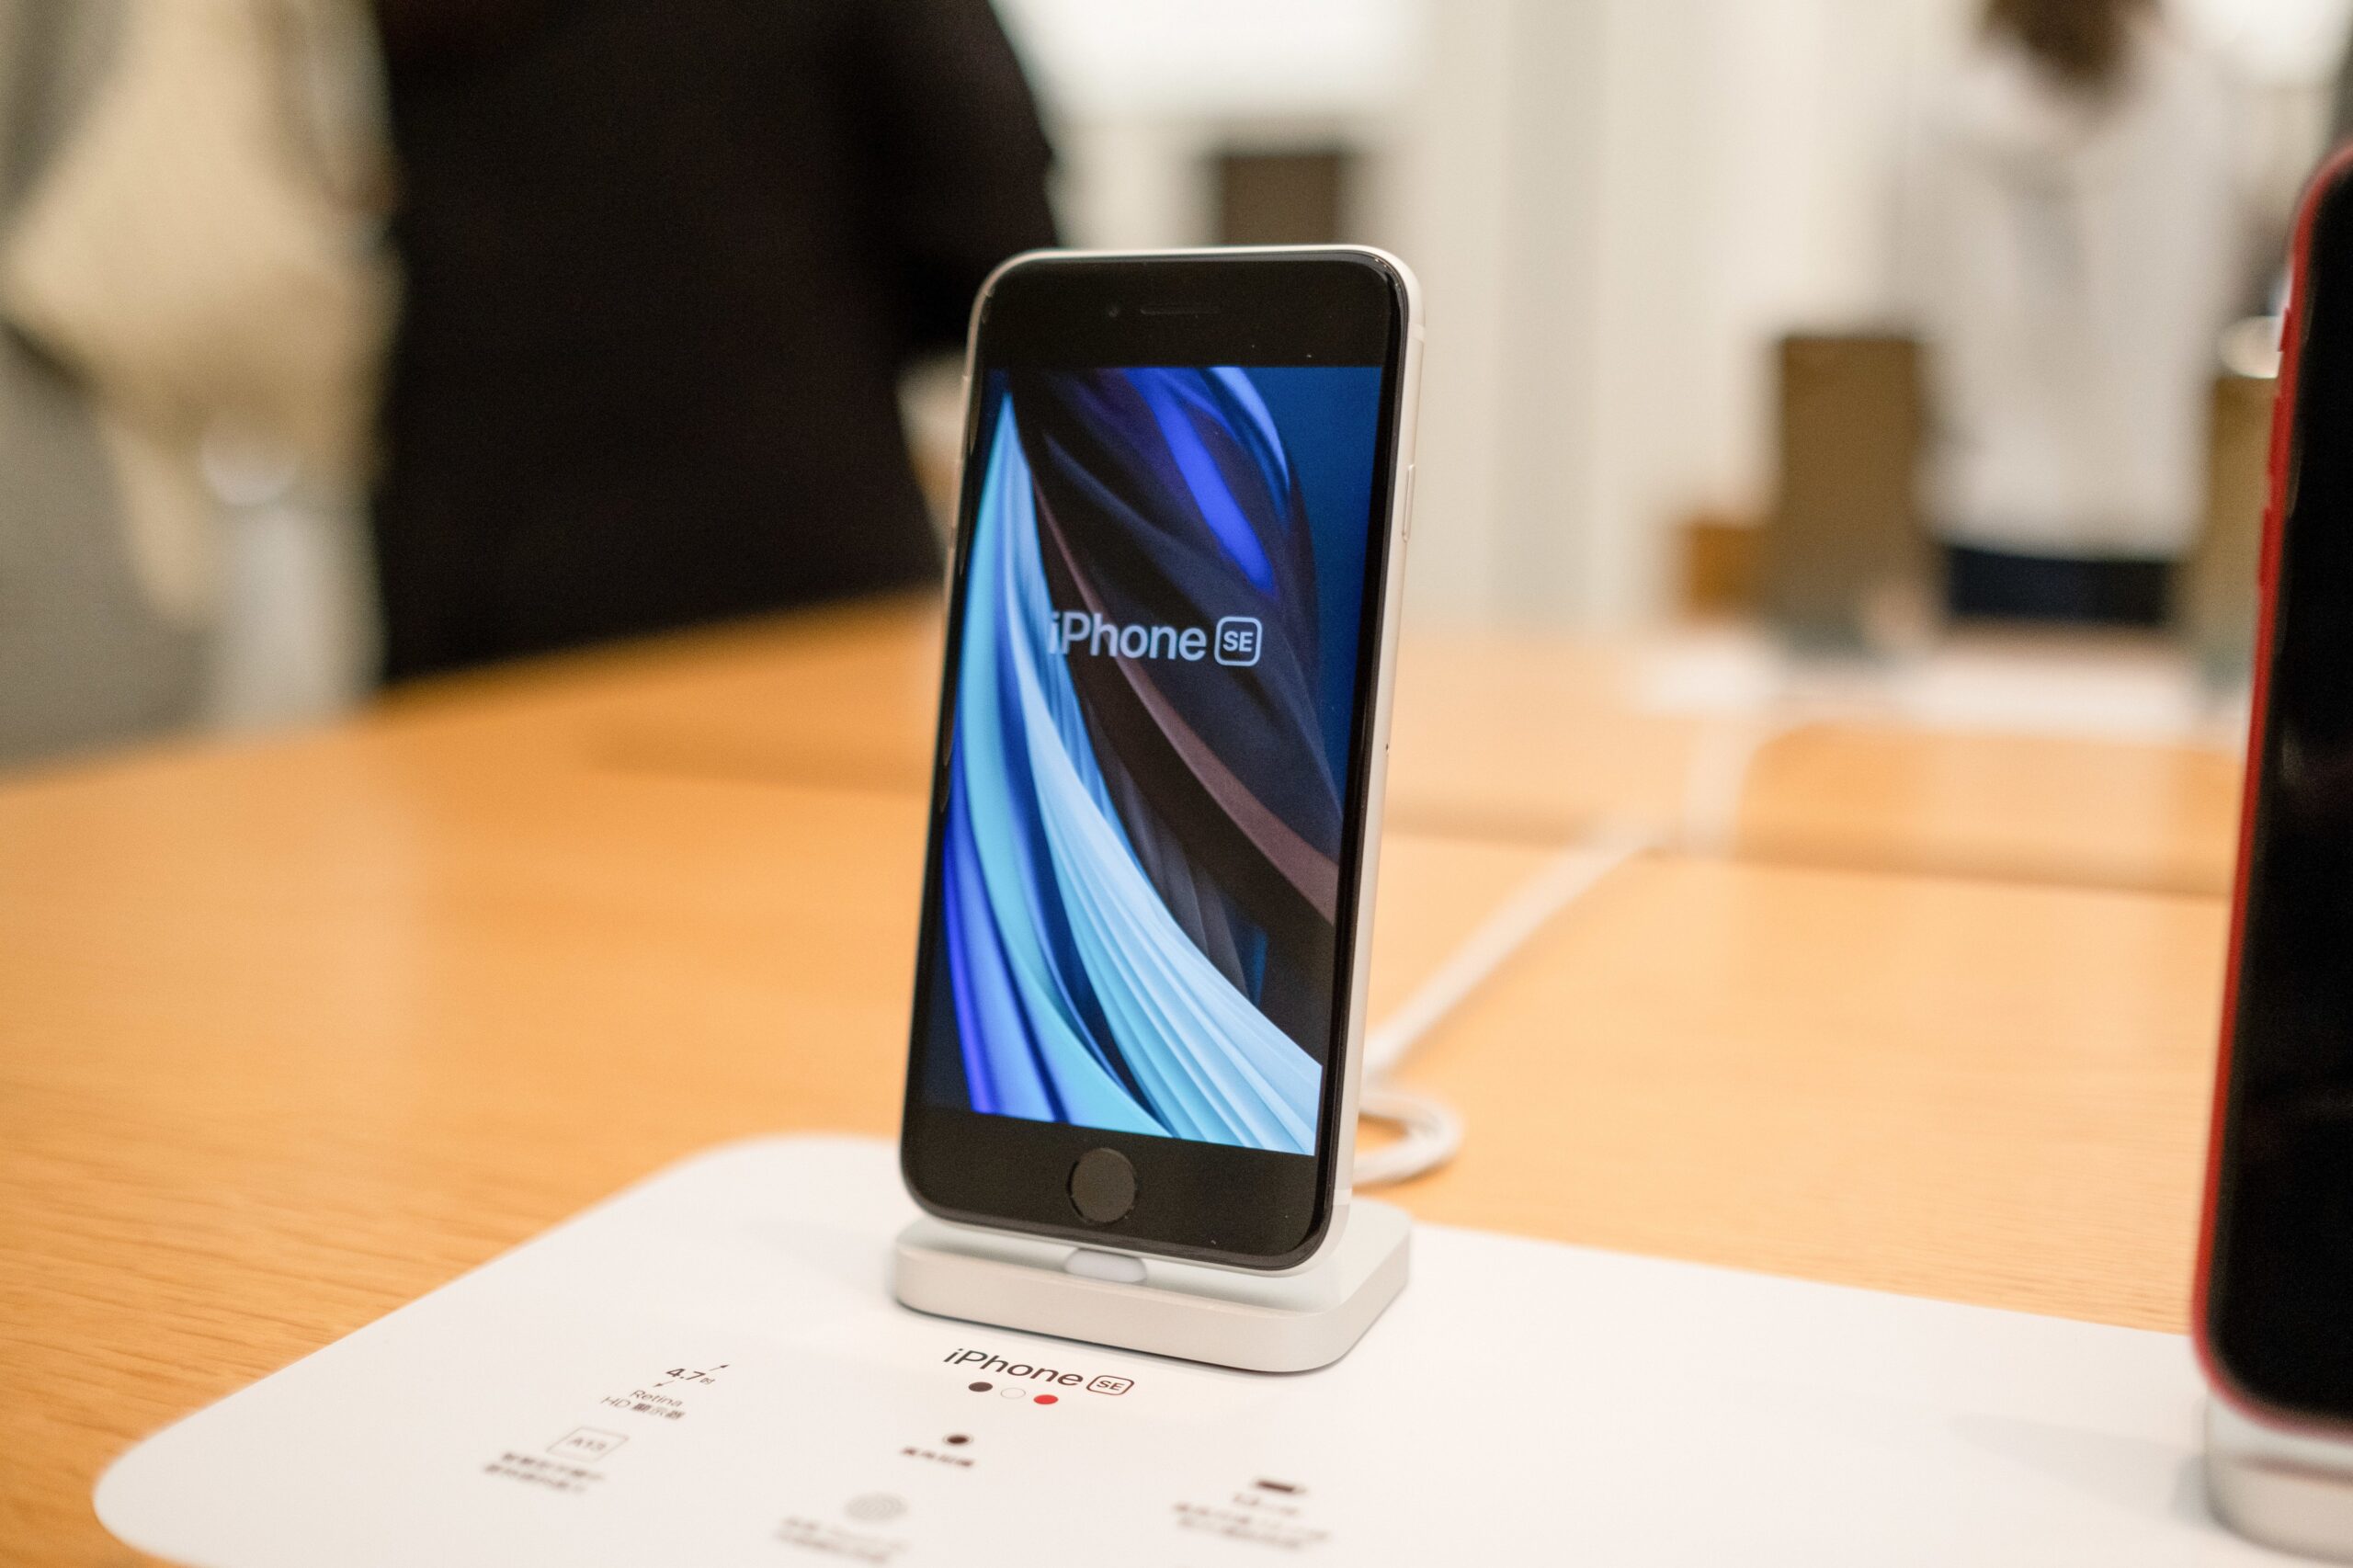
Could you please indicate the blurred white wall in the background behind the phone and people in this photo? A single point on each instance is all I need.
(1615, 206)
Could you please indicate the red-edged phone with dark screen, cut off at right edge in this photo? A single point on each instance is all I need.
(2274, 1310)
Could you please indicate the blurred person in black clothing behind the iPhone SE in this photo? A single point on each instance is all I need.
(665, 267)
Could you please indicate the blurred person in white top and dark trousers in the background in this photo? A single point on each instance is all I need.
(2077, 244)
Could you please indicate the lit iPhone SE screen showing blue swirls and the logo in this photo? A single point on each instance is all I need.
(1152, 731)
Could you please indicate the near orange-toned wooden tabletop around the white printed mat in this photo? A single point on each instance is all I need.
(295, 1032)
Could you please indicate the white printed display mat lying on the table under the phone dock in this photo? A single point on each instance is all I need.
(709, 1371)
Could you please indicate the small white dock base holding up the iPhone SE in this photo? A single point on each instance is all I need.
(1253, 1322)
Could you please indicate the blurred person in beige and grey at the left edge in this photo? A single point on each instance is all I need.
(189, 279)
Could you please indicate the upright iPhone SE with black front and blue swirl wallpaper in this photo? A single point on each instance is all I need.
(1164, 731)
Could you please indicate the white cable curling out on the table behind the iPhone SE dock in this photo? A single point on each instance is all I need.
(1429, 1131)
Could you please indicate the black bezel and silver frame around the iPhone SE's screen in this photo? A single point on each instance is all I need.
(1215, 1204)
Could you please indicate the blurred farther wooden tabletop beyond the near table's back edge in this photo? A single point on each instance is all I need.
(1498, 736)
